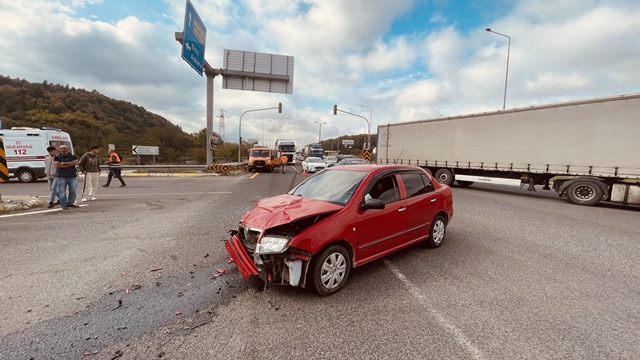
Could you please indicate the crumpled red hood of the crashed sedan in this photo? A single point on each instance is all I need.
(283, 209)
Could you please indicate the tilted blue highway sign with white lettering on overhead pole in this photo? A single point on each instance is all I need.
(194, 38)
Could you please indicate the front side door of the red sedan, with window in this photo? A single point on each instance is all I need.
(380, 231)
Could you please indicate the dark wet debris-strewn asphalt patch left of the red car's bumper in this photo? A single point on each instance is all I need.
(180, 304)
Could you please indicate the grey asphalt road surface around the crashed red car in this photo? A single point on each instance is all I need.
(134, 275)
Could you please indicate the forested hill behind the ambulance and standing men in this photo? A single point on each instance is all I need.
(95, 119)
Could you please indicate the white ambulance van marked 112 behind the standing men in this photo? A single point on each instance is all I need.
(25, 149)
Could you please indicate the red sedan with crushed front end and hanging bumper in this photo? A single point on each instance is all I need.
(339, 219)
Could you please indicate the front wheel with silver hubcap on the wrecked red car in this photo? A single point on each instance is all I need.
(330, 270)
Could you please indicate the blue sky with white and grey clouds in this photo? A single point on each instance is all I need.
(388, 61)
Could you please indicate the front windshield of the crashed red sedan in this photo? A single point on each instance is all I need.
(335, 186)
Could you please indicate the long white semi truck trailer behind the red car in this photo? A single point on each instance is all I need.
(587, 150)
